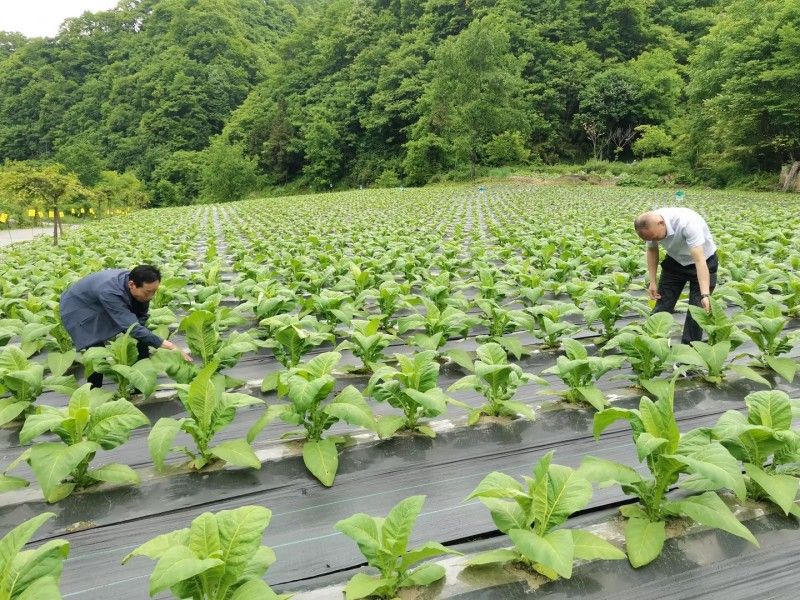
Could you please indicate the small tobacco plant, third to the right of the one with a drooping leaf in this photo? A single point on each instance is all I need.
(579, 371)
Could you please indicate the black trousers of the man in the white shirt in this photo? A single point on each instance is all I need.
(670, 285)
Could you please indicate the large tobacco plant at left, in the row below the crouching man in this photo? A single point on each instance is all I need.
(90, 422)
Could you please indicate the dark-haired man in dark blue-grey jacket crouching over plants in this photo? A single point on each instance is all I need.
(104, 304)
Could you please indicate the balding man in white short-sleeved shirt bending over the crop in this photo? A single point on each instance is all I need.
(691, 257)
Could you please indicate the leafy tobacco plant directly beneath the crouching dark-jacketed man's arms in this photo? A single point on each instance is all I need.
(119, 360)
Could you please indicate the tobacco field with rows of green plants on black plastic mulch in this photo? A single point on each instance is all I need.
(453, 392)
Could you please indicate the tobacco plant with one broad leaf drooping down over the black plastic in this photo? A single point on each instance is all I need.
(308, 387)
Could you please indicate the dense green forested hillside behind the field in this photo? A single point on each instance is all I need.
(354, 92)
